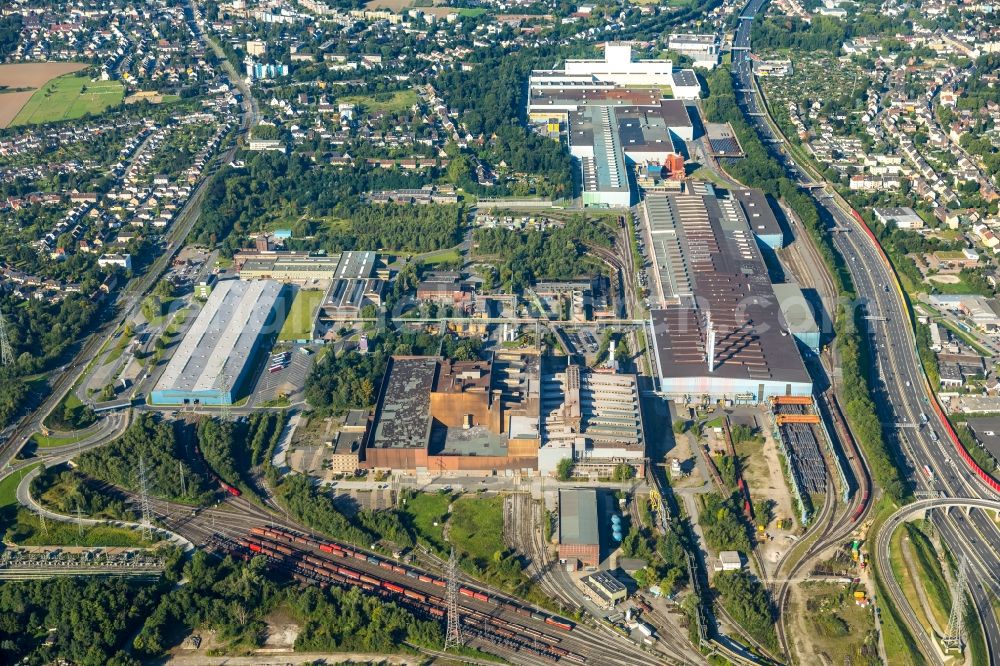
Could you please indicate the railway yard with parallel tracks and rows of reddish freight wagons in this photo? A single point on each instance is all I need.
(523, 634)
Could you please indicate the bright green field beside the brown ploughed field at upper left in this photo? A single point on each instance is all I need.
(69, 97)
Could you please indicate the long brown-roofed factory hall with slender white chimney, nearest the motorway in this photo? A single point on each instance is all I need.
(717, 327)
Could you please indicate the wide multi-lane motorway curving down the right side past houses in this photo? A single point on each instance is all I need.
(900, 383)
